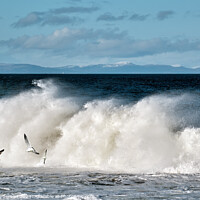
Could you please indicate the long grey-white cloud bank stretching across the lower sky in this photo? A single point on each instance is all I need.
(98, 43)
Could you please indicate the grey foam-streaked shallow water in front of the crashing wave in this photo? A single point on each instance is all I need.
(70, 184)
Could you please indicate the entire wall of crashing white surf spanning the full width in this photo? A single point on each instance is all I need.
(155, 134)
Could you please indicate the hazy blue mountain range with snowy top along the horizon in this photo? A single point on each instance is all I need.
(127, 68)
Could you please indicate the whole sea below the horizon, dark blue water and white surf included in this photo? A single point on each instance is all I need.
(107, 137)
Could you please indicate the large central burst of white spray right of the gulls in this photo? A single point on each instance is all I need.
(103, 136)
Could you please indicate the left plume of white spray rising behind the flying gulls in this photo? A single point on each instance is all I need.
(38, 113)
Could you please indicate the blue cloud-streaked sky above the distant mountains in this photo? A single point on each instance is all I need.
(54, 33)
